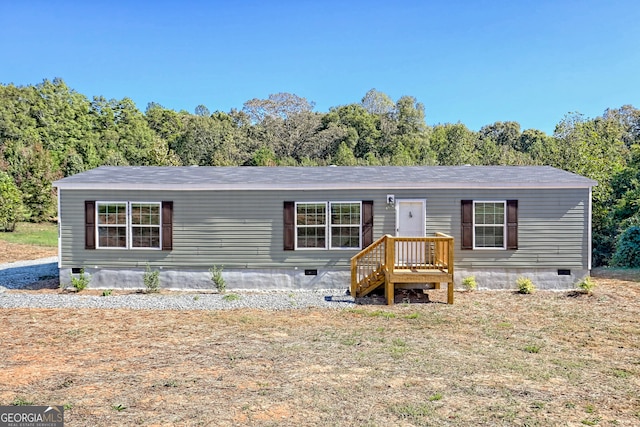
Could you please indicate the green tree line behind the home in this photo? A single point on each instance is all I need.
(48, 131)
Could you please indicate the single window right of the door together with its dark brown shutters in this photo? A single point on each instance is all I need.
(489, 224)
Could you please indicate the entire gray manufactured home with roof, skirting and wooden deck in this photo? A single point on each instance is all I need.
(330, 227)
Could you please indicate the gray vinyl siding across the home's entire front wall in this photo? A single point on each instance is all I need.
(244, 229)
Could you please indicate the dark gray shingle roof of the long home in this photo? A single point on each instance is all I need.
(329, 177)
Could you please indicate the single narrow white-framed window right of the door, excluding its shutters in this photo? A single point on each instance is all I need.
(489, 224)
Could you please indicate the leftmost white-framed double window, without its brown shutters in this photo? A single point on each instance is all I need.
(128, 225)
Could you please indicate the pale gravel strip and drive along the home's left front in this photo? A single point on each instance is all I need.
(21, 274)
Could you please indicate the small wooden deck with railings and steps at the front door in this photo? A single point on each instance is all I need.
(404, 262)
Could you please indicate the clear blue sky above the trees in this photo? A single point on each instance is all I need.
(475, 62)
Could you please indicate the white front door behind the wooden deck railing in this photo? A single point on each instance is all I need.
(411, 221)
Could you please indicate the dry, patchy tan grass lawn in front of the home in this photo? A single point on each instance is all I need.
(493, 358)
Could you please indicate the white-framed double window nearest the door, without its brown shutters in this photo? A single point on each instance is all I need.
(337, 225)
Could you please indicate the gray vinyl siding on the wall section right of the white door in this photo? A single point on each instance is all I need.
(552, 228)
